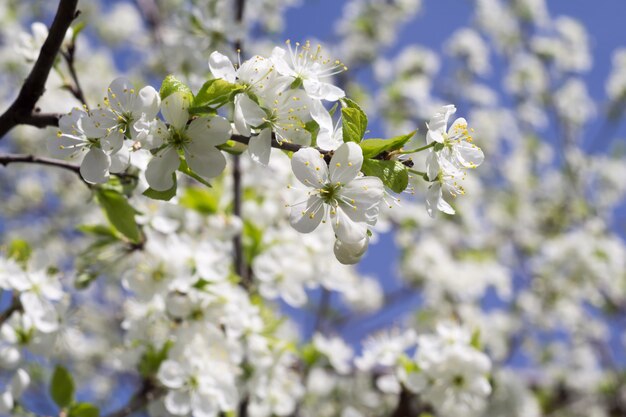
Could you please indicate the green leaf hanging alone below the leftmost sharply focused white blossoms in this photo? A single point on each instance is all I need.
(120, 213)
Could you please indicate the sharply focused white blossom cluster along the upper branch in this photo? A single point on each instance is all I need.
(272, 100)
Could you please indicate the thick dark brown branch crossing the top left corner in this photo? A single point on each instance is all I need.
(32, 89)
